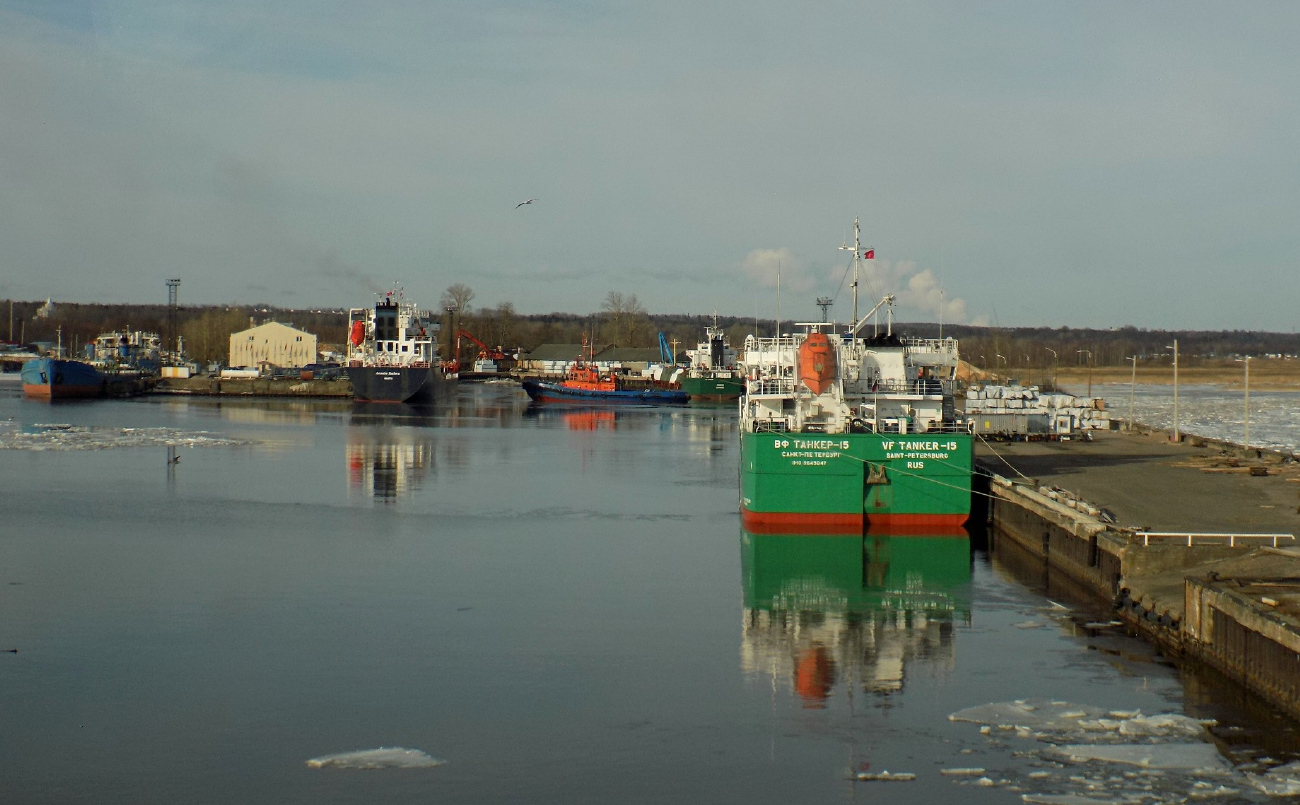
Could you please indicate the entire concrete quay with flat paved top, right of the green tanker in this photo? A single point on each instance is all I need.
(1190, 542)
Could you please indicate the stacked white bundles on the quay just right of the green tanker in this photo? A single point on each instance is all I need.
(1056, 414)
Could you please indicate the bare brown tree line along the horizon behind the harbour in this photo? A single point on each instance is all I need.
(625, 321)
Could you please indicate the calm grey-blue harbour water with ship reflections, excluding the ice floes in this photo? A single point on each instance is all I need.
(560, 604)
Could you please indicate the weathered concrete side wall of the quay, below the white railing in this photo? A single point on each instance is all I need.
(1211, 604)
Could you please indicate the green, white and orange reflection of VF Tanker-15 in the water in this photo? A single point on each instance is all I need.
(856, 612)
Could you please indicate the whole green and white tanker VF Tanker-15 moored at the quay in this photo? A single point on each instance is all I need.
(842, 432)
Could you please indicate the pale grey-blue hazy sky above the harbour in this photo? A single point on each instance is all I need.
(1022, 165)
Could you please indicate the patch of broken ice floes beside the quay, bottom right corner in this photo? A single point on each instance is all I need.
(1078, 755)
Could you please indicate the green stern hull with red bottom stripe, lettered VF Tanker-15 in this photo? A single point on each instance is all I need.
(848, 483)
